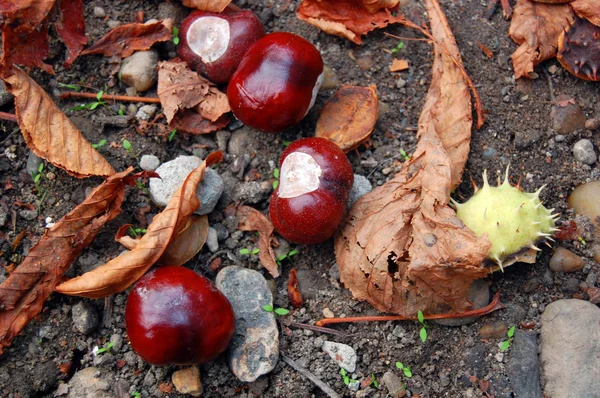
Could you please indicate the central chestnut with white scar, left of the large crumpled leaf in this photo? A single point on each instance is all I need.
(315, 179)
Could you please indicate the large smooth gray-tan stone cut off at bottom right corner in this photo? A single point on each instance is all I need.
(570, 349)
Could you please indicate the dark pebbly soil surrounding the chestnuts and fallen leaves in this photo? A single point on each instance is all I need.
(57, 354)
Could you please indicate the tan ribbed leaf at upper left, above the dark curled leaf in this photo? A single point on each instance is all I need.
(49, 133)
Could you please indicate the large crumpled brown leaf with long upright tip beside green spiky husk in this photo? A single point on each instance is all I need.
(402, 248)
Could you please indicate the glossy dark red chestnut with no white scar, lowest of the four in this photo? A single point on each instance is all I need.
(175, 316)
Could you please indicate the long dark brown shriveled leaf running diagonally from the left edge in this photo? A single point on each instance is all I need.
(23, 293)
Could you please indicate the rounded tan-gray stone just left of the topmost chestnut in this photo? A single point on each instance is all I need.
(140, 70)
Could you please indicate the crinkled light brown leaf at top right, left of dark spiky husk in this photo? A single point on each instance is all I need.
(536, 28)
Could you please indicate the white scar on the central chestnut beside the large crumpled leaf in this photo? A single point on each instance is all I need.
(299, 174)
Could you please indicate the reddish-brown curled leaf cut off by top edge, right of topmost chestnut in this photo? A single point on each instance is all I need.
(345, 18)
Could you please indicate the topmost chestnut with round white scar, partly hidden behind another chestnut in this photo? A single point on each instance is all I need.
(214, 44)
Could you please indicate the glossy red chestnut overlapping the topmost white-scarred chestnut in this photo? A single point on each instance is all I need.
(276, 82)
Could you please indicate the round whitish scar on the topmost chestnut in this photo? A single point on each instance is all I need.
(209, 38)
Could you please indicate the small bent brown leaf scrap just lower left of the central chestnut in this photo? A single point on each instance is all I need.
(251, 219)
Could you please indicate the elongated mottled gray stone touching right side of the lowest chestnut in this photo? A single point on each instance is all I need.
(254, 350)
